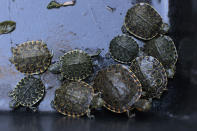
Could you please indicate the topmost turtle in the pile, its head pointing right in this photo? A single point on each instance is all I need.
(144, 22)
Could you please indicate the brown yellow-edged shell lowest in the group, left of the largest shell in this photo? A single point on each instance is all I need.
(73, 98)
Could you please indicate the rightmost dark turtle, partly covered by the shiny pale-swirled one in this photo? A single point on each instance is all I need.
(164, 49)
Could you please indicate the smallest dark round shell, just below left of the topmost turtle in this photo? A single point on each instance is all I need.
(123, 48)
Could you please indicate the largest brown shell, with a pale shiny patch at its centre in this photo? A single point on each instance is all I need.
(119, 86)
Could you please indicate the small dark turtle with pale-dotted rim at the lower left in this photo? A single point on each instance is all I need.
(27, 93)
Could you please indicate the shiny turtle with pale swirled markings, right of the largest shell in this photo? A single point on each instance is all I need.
(151, 74)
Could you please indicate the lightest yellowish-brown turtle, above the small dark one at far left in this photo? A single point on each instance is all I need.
(31, 57)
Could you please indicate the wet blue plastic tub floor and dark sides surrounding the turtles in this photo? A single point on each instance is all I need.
(89, 24)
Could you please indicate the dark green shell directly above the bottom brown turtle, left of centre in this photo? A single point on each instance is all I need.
(76, 65)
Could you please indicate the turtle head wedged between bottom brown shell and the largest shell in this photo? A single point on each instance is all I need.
(97, 101)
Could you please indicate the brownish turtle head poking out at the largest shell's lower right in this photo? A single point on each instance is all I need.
(143, 105)
